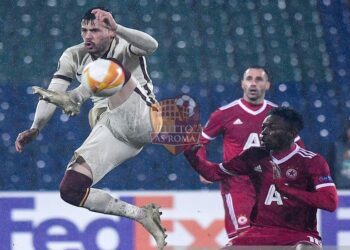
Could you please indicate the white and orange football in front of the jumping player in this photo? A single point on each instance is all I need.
(103, 77)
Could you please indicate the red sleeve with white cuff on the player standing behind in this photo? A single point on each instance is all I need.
(213, 127)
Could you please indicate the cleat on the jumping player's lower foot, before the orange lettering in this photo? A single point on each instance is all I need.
(153, 225)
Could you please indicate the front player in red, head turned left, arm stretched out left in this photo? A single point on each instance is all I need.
(291, 183)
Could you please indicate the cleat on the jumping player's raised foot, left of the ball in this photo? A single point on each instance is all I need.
(59, 99)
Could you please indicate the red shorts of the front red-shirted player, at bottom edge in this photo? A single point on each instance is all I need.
(264, 236)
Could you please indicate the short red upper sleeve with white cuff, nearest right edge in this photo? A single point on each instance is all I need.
(320, 173)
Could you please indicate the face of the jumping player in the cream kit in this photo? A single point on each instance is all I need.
(97, 37)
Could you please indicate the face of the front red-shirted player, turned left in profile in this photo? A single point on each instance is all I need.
(276, 133)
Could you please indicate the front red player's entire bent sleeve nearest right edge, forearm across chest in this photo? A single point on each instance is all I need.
(325, 194)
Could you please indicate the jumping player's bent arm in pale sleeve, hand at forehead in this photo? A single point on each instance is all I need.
(142, 43)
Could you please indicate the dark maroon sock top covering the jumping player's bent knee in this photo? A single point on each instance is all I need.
(73, 187)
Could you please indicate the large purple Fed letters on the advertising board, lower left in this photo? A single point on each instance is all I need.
(41, 235)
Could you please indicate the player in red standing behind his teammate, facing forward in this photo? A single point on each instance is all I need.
(240, 124)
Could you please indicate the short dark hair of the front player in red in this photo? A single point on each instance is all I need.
(292, 117)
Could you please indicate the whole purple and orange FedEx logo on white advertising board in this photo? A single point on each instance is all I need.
(62, 228)
